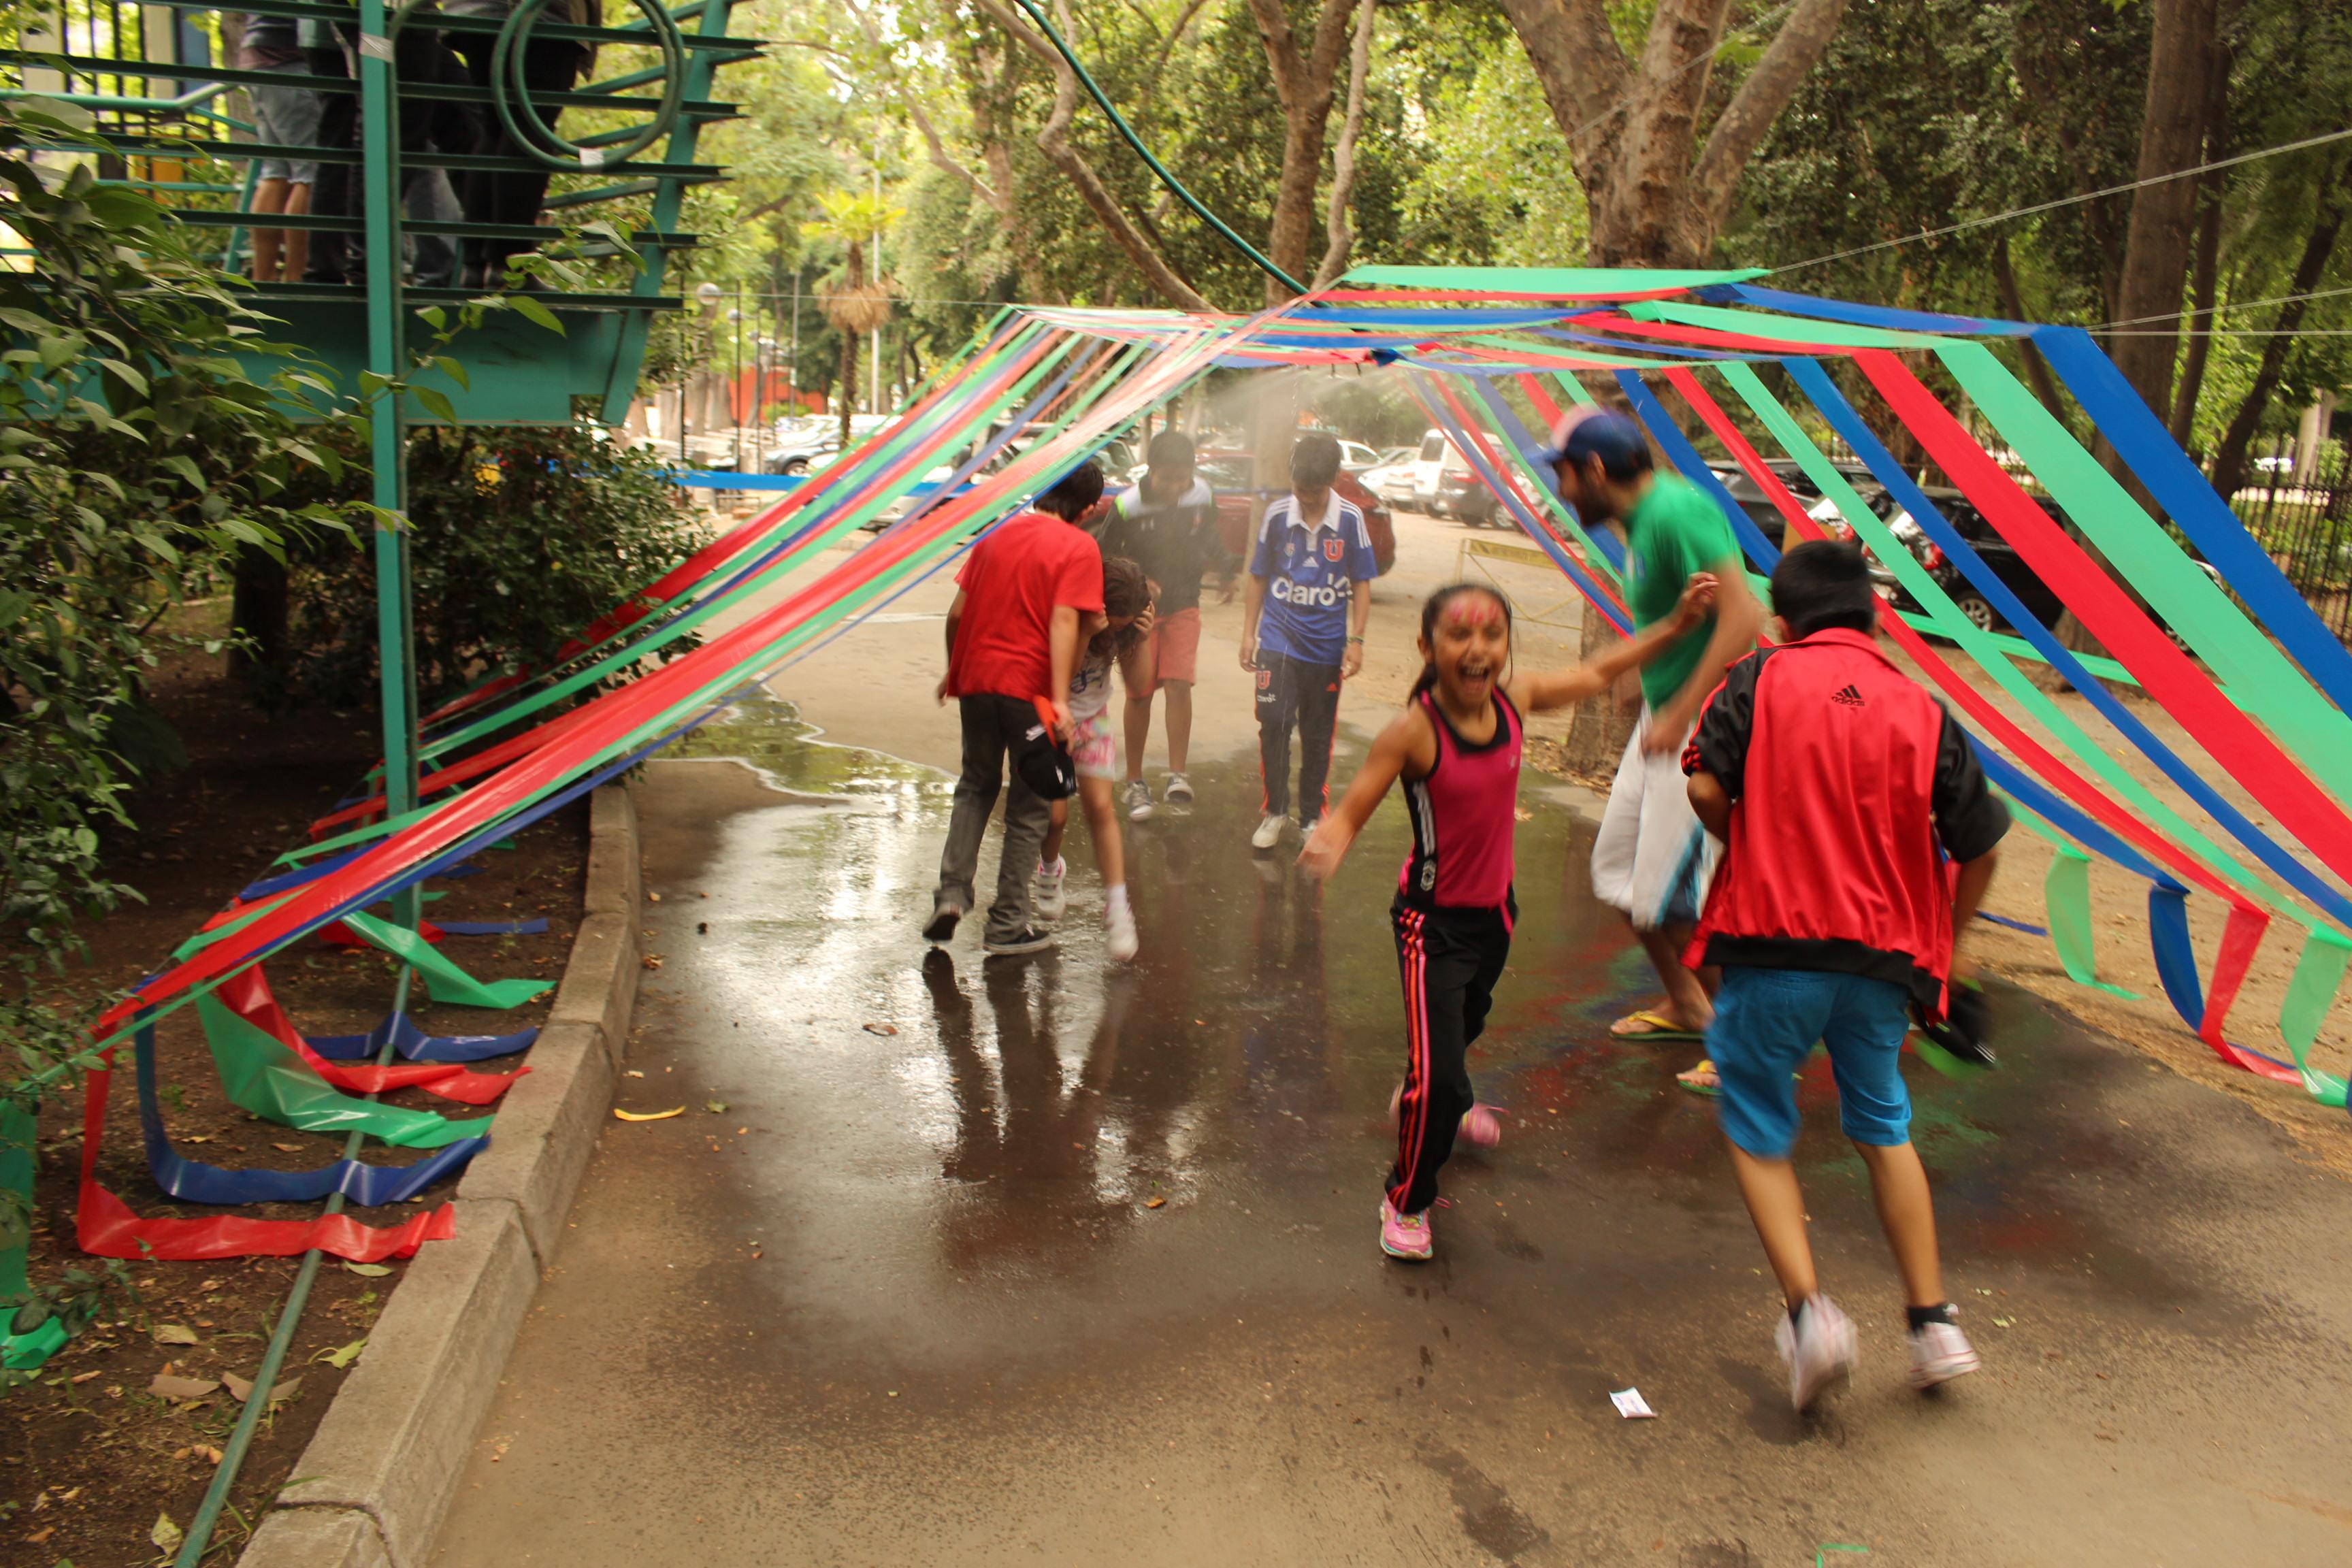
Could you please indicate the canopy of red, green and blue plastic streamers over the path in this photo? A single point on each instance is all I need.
(507, 753)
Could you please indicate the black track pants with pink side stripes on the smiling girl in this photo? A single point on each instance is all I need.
(1450, 963)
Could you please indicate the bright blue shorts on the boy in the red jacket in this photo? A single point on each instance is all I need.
(1765, 1026)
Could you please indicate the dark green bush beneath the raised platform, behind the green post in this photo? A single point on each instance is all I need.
(521, 537)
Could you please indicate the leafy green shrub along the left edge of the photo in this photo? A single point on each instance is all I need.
(133, 457)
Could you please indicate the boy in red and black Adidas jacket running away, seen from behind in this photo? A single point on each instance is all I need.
(1838, 789)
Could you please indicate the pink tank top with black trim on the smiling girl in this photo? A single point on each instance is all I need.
(1464, 817)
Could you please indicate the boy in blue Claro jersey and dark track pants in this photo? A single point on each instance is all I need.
(1304, 629)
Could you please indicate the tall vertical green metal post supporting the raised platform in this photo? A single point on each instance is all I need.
(380, 187)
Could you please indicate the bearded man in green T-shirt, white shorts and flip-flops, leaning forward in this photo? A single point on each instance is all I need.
(1652, 859)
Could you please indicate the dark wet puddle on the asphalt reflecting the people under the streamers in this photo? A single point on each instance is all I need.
(1257, 1040)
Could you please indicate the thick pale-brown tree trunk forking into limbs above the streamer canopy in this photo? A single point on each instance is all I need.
(1655, 194)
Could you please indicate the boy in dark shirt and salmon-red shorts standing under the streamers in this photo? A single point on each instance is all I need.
(1168, 525)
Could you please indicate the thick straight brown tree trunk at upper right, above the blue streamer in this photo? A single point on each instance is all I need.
(2163, 215)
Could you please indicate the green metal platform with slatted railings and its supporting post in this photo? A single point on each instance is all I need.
(161, 100)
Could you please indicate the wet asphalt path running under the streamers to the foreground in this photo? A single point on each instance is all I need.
(1045, 1264)
